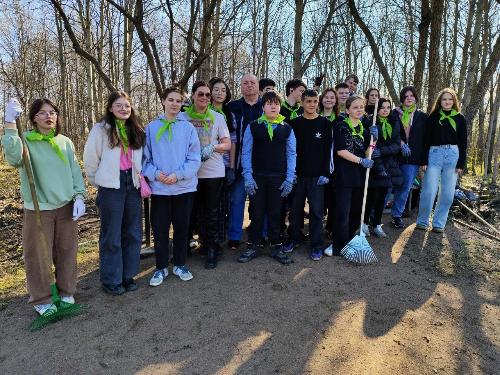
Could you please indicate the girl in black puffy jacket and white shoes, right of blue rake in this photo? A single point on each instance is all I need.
(385, 172)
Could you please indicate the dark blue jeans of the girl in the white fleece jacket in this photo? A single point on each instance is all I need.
(120, 237)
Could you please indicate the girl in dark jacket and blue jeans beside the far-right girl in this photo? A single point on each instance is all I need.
(411, 122)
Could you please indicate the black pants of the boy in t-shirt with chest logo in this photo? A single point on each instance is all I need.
(307, 187)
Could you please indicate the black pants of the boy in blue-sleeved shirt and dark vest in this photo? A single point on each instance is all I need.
(266, 200)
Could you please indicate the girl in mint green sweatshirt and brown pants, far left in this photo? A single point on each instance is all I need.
(60, 191)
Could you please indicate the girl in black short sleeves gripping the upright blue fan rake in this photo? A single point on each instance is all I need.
(352, 140)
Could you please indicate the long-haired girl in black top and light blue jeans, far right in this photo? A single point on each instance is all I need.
(445, 152)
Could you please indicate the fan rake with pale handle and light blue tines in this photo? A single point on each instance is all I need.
(358, 250)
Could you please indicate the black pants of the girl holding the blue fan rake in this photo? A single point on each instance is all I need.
(347, 215)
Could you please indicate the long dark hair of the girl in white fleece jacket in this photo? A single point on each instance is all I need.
(135, 130)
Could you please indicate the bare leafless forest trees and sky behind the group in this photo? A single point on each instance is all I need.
(75, 52)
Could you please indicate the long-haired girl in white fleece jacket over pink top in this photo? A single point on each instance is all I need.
(112, 159)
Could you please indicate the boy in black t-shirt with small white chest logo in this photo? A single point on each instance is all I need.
(314, 140)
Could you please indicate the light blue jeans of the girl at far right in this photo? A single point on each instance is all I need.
(440, 173)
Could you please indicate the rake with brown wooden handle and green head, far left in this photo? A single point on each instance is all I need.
(64, 309)
